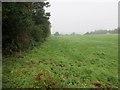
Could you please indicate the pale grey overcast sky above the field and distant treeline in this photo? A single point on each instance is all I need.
(81, 16)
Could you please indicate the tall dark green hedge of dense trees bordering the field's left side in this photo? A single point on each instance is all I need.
(24, 24)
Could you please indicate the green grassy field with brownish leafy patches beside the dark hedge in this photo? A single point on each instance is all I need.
(74, 61)
